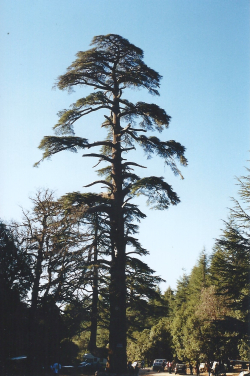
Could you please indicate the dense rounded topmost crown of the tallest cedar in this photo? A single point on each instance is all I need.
(113, 65)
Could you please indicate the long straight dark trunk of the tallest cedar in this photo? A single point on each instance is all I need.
(117, 291)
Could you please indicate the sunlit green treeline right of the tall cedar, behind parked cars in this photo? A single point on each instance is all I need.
(207, 316)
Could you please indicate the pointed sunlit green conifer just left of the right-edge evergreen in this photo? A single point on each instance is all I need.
(190, 332)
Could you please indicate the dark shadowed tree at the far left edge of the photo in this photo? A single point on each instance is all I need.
(15, 280)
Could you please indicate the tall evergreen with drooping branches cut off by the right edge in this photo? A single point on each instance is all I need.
(231, 273)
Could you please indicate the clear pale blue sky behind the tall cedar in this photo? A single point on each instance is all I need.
(201, 48)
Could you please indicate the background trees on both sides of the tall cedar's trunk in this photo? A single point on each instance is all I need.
(54, 279)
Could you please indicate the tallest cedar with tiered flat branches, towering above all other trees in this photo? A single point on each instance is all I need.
(110, 67)
